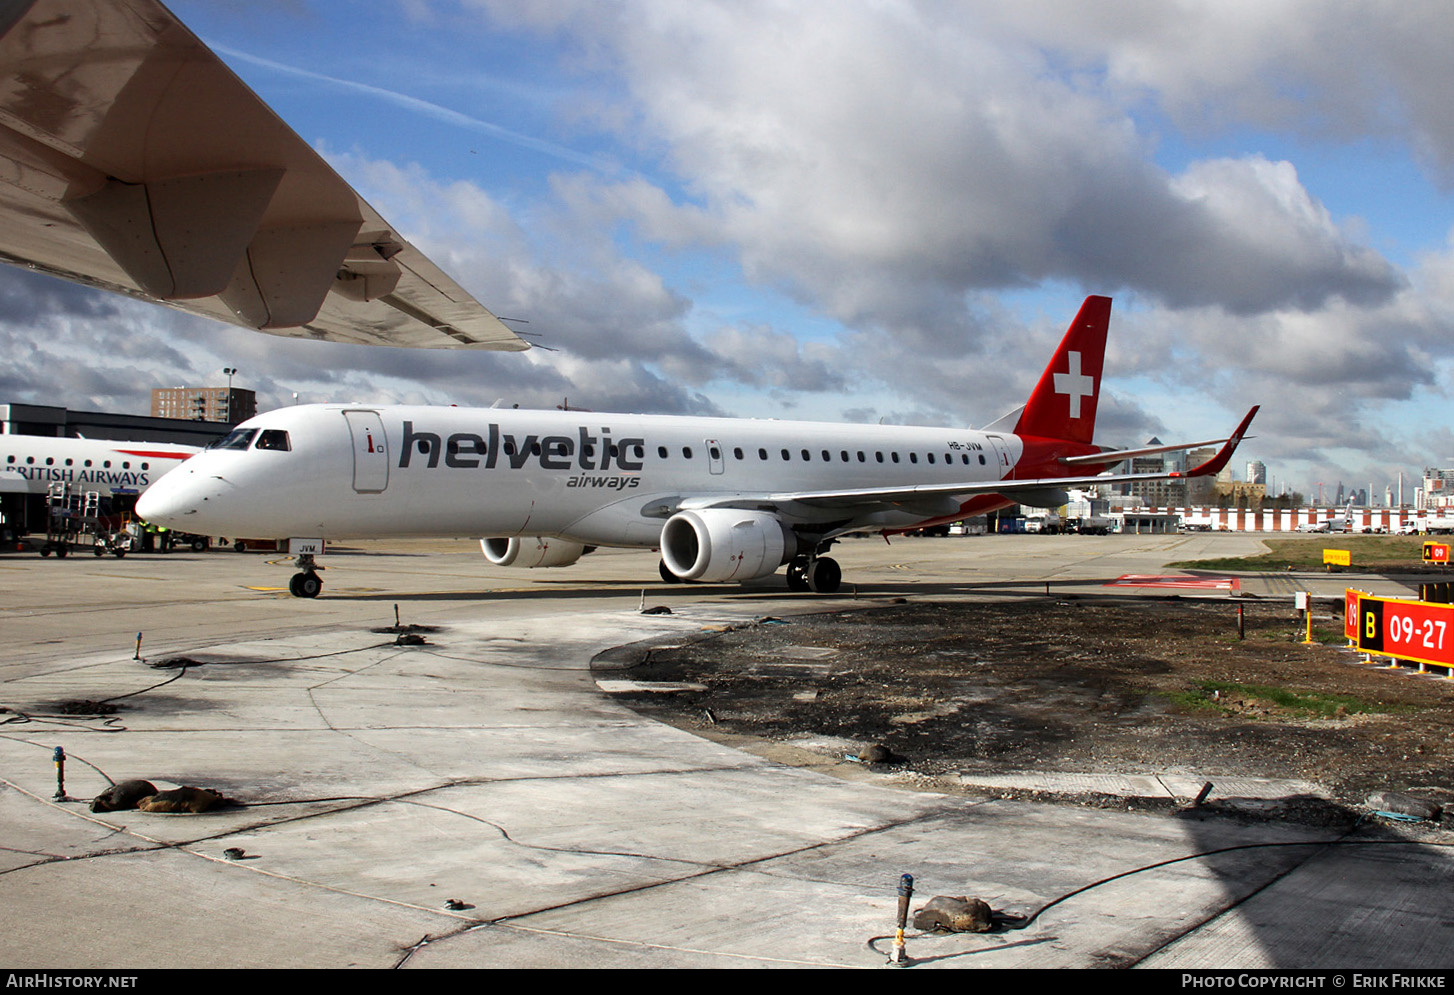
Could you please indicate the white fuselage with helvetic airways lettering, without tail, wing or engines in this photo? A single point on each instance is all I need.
(597, 479)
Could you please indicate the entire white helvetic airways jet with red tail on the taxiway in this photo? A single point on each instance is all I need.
(725, 500)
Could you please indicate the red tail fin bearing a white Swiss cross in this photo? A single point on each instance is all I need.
(1064, 402)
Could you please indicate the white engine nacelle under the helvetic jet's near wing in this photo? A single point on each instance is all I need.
(725, 545)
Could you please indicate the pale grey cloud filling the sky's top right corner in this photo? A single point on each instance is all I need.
(1340, 72)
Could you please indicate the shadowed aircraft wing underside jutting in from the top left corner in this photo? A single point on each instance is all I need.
(133, 159)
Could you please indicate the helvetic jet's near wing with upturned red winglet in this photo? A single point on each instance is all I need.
(921, 494)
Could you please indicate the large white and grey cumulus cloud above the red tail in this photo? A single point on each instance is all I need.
(867, 156)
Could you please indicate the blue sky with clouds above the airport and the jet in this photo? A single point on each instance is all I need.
(850, 210)
